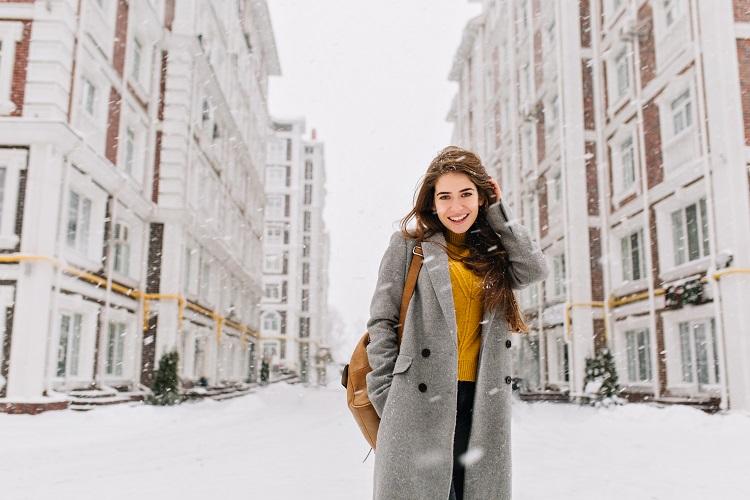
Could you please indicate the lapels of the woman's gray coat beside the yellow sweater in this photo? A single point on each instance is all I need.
(436, 262)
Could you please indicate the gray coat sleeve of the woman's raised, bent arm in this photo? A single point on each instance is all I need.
(527, 262)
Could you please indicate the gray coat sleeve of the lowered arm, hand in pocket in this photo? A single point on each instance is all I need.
(383, 323)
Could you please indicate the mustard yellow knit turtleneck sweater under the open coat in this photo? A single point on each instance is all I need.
(467, 299)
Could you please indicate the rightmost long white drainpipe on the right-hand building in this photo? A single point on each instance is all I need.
(708, 175)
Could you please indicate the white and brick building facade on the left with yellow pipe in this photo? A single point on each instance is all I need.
(131, 155)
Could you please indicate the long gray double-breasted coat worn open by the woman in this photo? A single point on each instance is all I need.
(414, 390)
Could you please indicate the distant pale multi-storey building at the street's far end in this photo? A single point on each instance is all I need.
(296, 249)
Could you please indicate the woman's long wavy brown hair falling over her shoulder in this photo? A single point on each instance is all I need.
(487, 256)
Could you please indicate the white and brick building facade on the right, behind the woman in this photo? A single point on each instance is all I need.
(619, 132)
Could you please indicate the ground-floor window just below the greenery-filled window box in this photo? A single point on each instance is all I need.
(698, 354)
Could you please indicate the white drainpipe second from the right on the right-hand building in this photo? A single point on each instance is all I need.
(634, 38)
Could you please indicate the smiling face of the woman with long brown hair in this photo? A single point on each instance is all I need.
(456, 201)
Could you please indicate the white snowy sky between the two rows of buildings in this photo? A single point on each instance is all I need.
(372, 78)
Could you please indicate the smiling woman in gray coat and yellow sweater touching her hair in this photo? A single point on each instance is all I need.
(444, 396)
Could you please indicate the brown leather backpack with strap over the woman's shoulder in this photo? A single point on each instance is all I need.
(353, 378)
